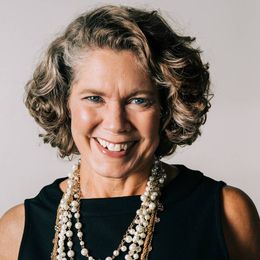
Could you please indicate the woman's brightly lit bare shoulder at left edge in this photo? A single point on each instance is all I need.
(11, 230)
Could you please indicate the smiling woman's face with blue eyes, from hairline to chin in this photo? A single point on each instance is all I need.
(114, 114)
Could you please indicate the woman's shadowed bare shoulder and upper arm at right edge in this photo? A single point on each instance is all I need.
(241, 224)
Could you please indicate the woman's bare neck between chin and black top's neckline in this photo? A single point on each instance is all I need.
(94, 185)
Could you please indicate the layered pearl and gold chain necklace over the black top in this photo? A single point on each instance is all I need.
(135, 244)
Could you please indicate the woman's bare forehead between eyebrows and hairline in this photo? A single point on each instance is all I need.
(106, 68)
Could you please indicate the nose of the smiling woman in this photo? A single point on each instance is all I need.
(115, 119)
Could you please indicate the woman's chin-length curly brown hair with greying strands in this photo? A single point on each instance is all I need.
(174, 66)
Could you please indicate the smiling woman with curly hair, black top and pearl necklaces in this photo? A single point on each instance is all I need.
(120, 89)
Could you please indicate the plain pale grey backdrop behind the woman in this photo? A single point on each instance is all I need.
(226, 30)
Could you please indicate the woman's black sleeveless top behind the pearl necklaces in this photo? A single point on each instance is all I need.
(189, 229)
